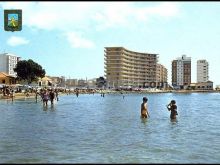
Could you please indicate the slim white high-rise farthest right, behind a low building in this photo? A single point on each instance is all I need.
(202, 71)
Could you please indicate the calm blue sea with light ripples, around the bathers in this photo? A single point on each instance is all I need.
(93, 129)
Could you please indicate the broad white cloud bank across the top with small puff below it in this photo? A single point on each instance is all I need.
(89, 16)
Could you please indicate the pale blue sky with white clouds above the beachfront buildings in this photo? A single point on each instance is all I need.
(68, 38)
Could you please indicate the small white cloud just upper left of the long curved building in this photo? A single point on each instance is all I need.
(77, 41)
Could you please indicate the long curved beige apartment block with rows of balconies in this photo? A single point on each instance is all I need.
(126, 68)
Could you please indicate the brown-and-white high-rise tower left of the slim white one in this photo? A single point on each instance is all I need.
(181, 72)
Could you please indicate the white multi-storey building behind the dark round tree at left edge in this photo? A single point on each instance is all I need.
(8, 62)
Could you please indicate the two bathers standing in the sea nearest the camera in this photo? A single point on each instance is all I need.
(171, 107)
